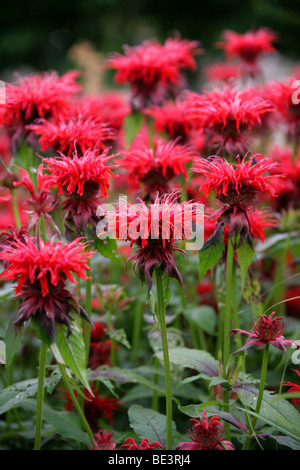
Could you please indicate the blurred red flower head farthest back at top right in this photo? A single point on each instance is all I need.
(248, 47)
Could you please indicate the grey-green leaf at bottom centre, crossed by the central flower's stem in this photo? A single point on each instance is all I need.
(149, 424)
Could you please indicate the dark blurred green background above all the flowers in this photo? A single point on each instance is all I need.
(38, 34)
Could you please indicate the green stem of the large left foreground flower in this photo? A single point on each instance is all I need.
(40, 395)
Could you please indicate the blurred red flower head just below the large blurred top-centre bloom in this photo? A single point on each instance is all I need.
(171, 117)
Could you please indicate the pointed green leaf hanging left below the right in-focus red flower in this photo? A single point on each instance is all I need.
(211, 252)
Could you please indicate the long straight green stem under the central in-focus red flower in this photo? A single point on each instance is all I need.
(164, 340)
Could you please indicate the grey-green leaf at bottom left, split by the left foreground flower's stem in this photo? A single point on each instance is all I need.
(66, 424)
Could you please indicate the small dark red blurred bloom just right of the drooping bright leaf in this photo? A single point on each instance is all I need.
(100, 346)
